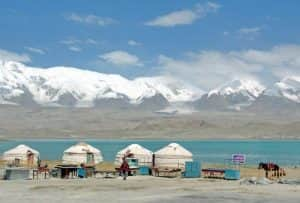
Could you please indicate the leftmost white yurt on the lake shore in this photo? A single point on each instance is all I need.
(21, 153)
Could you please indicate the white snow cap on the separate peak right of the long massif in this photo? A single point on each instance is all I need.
(248, 88)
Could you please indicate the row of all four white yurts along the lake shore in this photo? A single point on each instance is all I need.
(172, 155)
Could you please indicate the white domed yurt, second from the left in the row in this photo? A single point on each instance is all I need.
(82, 153)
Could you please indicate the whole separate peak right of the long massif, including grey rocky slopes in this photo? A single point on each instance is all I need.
(232, 95)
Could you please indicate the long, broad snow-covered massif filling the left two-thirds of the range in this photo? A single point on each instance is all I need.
(67, 86)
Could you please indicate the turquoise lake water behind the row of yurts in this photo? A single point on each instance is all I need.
(210, 151)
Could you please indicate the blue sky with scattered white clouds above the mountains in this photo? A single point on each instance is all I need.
(143, 38)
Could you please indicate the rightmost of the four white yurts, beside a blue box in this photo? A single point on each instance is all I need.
(172, 156)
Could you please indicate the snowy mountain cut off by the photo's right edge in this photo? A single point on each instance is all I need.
(288, 87)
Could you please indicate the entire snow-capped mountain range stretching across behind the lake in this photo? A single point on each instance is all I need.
(72, 87)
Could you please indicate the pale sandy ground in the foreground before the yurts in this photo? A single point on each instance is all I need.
(144, 189)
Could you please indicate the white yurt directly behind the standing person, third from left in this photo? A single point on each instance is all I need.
(143, 155)
